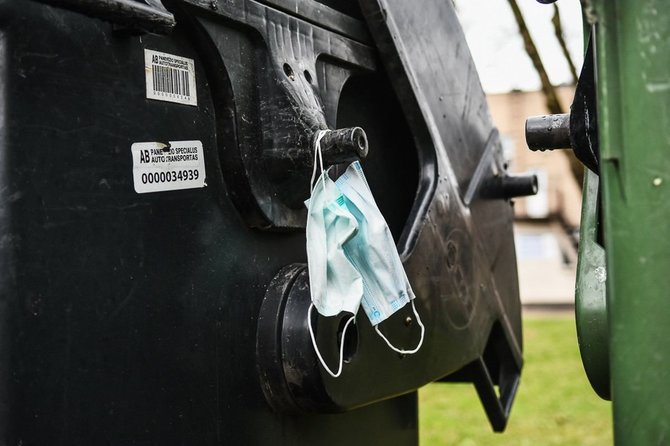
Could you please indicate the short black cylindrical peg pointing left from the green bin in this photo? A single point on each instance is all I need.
(548, 132)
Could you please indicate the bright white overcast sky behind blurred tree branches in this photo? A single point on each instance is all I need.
(497, 47)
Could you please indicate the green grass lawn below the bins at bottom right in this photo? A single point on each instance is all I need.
(555, 404)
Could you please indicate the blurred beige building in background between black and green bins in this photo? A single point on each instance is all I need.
(547, 224)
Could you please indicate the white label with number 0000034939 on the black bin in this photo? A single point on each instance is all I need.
(159, 167)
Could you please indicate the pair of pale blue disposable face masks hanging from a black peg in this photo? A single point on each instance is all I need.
(352, 258)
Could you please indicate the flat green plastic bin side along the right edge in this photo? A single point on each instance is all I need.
(633, 62)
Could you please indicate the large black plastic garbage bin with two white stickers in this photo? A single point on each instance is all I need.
(154, 163)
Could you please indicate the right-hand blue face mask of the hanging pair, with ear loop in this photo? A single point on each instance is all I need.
(374, 255)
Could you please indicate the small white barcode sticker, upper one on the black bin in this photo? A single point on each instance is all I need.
(170, 78)
